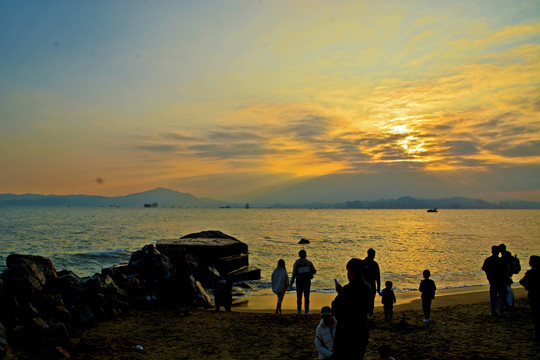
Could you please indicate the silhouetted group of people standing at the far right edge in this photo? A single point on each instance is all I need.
(499, 269)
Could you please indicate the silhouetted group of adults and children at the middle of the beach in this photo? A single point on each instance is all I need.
(343, 329)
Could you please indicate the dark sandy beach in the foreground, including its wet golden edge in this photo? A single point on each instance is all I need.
(461, 328)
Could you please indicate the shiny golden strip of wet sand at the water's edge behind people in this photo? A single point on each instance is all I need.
(266, 303)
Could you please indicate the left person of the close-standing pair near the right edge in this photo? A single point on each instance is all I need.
(497, 277)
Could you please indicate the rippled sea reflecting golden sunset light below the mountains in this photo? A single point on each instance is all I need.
(452, 244)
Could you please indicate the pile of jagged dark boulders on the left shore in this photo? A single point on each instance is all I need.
(44, 310)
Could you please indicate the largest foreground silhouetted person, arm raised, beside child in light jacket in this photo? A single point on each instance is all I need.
(351, 307)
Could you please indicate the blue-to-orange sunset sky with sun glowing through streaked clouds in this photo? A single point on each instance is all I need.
(236, 100)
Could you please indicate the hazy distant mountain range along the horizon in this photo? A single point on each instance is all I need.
(171, 198)
